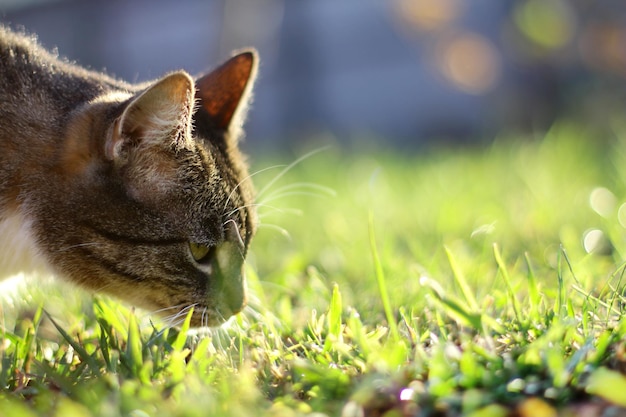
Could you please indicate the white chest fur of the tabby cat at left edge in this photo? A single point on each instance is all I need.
(18, 250)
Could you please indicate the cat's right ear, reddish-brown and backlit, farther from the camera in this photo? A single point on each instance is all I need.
(225, 92)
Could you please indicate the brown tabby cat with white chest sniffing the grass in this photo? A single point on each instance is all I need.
(138, 191)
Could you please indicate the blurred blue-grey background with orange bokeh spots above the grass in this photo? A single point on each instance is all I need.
(400, 72)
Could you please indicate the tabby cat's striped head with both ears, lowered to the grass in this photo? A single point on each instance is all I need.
(157, 205)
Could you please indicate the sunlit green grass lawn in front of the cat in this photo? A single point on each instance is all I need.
(460, 281)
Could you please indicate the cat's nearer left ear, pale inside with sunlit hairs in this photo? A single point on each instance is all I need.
(161, 114)
